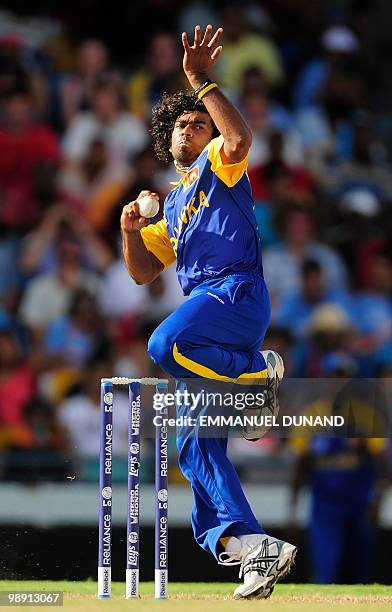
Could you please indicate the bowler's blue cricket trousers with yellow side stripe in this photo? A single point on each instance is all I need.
(215, 335)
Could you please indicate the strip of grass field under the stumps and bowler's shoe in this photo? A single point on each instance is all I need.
(194, 597)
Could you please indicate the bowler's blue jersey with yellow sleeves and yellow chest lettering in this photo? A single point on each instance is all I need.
(209, 224)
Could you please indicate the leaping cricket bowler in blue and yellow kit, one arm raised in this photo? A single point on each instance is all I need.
(209, 230)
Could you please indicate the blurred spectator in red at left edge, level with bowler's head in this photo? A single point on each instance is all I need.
(28, 150)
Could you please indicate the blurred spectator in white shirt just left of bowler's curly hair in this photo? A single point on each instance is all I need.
(123, 134)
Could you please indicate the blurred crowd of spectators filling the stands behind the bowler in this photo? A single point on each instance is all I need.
(312, 80)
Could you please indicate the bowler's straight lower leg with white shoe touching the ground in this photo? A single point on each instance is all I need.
(223, 522)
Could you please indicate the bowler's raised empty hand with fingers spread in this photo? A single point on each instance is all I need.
(200, 58)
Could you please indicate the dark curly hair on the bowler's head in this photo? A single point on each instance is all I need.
(164, 116)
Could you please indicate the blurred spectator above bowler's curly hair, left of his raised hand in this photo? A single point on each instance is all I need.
(160, 74)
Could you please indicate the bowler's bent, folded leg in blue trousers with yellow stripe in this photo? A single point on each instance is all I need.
(217, 333)
